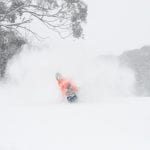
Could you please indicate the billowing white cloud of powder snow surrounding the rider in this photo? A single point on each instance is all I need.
(31, 76)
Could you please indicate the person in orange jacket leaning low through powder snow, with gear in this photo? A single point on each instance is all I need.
(67, 88)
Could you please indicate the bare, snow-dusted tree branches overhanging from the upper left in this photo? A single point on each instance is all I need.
(62, 16)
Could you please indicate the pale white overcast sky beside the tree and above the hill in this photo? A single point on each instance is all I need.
(112, 27)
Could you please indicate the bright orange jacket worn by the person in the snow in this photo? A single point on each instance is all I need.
(65, 84)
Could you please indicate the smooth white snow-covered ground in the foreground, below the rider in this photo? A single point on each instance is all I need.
(80, 126)
